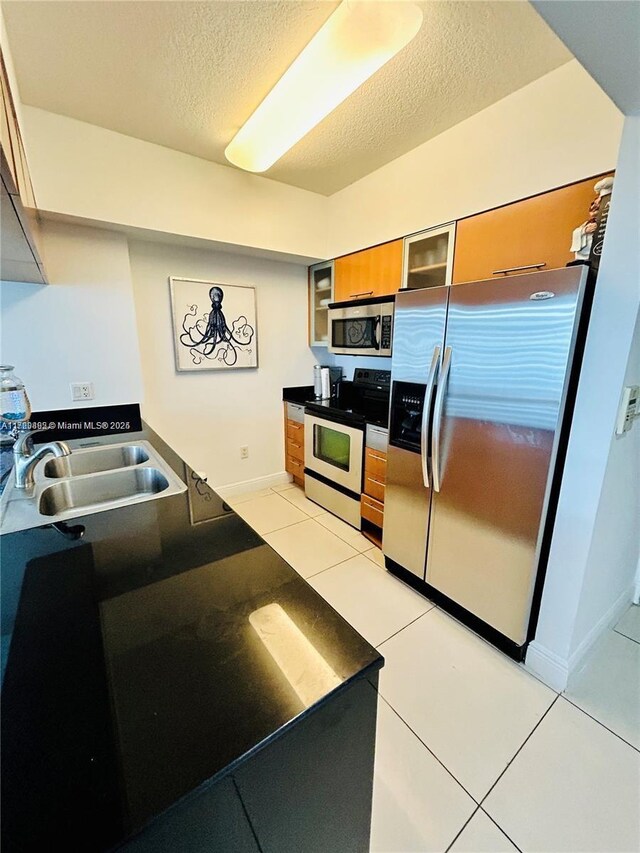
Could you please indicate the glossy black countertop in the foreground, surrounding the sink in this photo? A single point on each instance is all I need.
(135, 672)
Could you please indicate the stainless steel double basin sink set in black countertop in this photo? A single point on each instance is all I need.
(90, 480)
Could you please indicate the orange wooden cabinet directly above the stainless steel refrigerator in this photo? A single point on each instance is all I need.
(536, 231)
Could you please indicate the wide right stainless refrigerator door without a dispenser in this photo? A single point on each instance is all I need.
(508, 347)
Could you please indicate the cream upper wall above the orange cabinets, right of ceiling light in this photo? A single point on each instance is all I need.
(558, 129)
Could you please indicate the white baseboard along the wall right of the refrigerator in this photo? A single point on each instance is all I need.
(555, 670)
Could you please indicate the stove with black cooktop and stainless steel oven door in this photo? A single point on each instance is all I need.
(334, 440)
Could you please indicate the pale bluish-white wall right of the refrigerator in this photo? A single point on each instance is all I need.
(590, 561)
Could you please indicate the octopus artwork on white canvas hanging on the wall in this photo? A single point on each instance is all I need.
(214, 325)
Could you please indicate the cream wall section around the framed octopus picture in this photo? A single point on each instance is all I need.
(208, 416)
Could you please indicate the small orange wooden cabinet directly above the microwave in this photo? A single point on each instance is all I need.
(372, 272)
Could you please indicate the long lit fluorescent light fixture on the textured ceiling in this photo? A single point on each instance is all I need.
(357, 40)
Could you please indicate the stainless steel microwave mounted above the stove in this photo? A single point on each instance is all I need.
(364, 327)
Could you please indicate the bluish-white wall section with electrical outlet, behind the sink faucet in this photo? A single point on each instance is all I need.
(81, 327)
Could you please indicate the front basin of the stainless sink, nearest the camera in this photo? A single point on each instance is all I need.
(114, 488)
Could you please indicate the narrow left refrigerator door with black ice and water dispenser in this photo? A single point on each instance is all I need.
(419, 331)
